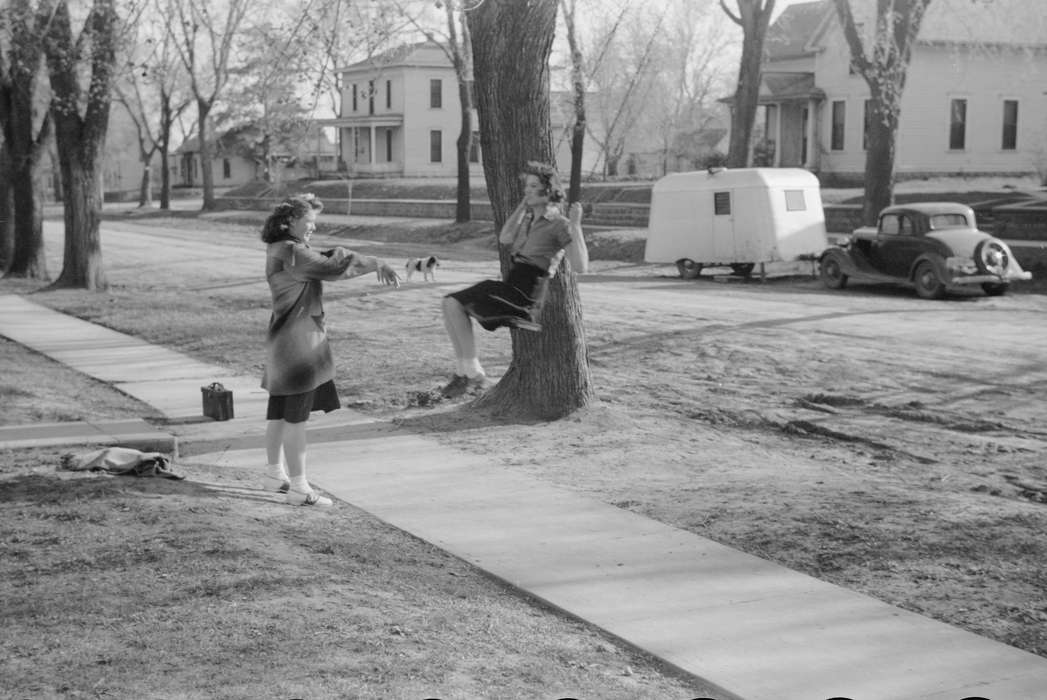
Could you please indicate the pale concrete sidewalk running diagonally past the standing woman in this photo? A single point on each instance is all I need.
(748, 627)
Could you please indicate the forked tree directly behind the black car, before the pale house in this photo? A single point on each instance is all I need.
(884, 65)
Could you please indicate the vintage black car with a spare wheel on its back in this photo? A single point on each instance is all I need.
(932, 245)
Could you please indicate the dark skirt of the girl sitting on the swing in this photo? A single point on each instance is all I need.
(496, 304)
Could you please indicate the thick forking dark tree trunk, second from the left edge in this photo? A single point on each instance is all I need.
(81, 74)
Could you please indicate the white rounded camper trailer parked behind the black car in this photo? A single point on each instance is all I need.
(736, 218)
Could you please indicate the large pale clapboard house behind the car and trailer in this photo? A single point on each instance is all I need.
(974, 104)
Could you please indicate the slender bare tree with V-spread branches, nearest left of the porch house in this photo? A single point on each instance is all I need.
(205, 41)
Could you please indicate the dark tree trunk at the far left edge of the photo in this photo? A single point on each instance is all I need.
(27, 124)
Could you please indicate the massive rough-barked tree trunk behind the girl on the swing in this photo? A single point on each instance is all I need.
(549, 376)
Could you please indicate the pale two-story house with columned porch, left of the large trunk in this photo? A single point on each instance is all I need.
(400, 116)
